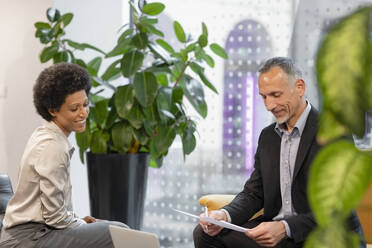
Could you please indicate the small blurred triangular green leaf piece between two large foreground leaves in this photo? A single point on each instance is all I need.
(329, 127)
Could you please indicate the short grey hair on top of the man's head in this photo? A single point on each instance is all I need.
(286, 64)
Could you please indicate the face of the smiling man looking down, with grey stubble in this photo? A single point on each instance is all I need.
(280, 98)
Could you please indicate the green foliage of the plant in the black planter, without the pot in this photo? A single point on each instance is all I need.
(147, 107)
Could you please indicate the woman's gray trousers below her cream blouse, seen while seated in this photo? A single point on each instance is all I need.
(35, 235)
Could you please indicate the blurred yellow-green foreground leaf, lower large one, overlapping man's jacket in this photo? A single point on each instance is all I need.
(339, 176)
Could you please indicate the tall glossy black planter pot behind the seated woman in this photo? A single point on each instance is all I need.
(117, 186)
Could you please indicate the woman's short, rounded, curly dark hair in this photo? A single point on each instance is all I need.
(55, 83)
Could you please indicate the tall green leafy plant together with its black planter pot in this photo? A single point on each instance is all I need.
(144, 114)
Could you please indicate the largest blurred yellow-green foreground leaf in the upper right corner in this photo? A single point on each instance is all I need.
(341, 68)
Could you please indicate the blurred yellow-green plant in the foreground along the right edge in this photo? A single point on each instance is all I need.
(341, 173)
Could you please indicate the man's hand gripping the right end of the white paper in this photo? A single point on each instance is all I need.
(267, 234)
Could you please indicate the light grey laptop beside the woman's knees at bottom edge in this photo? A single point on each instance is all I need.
(124, 238)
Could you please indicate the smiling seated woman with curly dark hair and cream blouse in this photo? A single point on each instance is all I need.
(40, 213)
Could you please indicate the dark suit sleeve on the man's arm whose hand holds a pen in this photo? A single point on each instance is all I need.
(250, 200)
